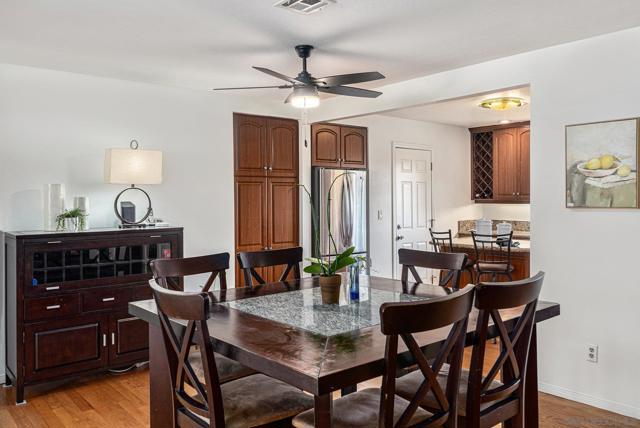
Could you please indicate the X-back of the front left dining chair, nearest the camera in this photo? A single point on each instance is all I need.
(193, 398)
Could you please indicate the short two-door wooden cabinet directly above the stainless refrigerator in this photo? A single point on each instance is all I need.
(337, 146)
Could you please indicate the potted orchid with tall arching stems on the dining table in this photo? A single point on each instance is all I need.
(327, 268)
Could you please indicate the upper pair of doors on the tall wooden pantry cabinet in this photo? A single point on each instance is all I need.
(265, 147)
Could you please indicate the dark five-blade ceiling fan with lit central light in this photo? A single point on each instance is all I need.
(306, 87)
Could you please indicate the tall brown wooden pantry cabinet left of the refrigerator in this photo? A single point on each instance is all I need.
(266, 186)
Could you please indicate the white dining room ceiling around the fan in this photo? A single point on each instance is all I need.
(207, 43)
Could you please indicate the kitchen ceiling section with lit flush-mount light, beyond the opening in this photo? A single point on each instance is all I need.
(465, 111)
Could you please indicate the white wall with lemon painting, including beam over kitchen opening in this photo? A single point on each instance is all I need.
(590, 256)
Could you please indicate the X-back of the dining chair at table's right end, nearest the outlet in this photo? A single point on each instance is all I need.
(490, 298)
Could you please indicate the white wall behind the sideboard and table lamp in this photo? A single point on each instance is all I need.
(55, 126)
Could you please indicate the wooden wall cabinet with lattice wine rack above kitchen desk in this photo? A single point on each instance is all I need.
(500, 164)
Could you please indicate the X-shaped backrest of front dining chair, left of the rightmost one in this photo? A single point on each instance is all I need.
(403, 320)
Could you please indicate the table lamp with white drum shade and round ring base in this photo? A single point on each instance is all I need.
(132, 166)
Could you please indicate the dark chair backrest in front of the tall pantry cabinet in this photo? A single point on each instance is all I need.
(249, 261)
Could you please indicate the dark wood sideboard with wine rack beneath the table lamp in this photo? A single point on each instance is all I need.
(67, 296)
